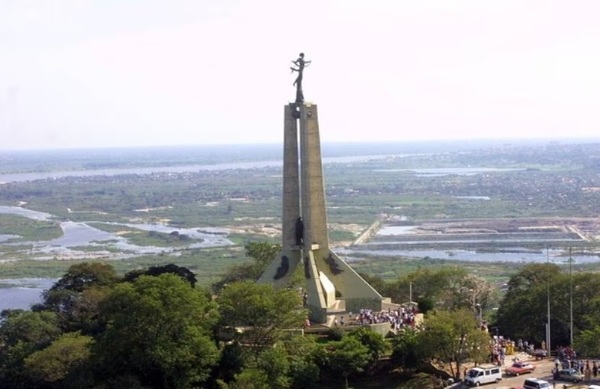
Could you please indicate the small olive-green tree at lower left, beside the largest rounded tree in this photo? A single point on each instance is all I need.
(63, 359)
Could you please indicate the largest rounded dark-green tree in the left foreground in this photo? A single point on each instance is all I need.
(158, 329)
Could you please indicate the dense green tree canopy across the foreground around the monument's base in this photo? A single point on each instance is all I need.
(153, 329)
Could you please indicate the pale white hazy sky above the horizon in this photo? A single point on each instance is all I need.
(133, 73)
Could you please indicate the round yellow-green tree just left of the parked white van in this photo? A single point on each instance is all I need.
(453, 337)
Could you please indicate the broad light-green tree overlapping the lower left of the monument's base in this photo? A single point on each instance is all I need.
(261, 311)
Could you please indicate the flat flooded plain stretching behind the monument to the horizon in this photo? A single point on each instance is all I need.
(469, 202)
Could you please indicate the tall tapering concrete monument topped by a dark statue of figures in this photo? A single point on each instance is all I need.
(332, 286)
